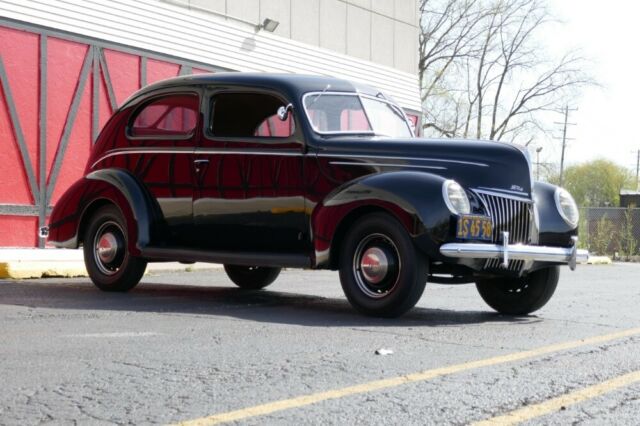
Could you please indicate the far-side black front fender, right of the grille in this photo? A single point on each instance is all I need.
(553, 229)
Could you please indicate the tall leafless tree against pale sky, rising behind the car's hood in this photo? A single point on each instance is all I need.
(483, 68)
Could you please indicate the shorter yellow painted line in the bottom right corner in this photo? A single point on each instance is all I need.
(552, 405)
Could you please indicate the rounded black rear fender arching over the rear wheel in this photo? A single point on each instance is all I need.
(108, 185)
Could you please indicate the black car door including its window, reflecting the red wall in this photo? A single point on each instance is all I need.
(250, 194)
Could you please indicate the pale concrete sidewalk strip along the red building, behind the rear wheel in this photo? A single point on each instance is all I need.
(20, 263)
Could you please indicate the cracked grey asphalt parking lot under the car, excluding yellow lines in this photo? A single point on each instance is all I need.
(182, 346)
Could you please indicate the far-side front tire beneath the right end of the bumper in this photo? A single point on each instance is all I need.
(520, 296)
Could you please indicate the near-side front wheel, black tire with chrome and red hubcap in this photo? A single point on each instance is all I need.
(381, 272)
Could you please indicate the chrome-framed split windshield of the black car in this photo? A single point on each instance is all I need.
(351, 113)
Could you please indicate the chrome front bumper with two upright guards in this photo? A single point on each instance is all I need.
(506, 251)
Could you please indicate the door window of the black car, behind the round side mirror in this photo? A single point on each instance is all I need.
(236, 115)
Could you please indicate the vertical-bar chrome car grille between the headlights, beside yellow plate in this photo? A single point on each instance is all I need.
(511, 215)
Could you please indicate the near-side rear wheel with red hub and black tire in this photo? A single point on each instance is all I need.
(106, 252)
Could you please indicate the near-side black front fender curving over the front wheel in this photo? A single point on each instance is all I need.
(414, 198)
